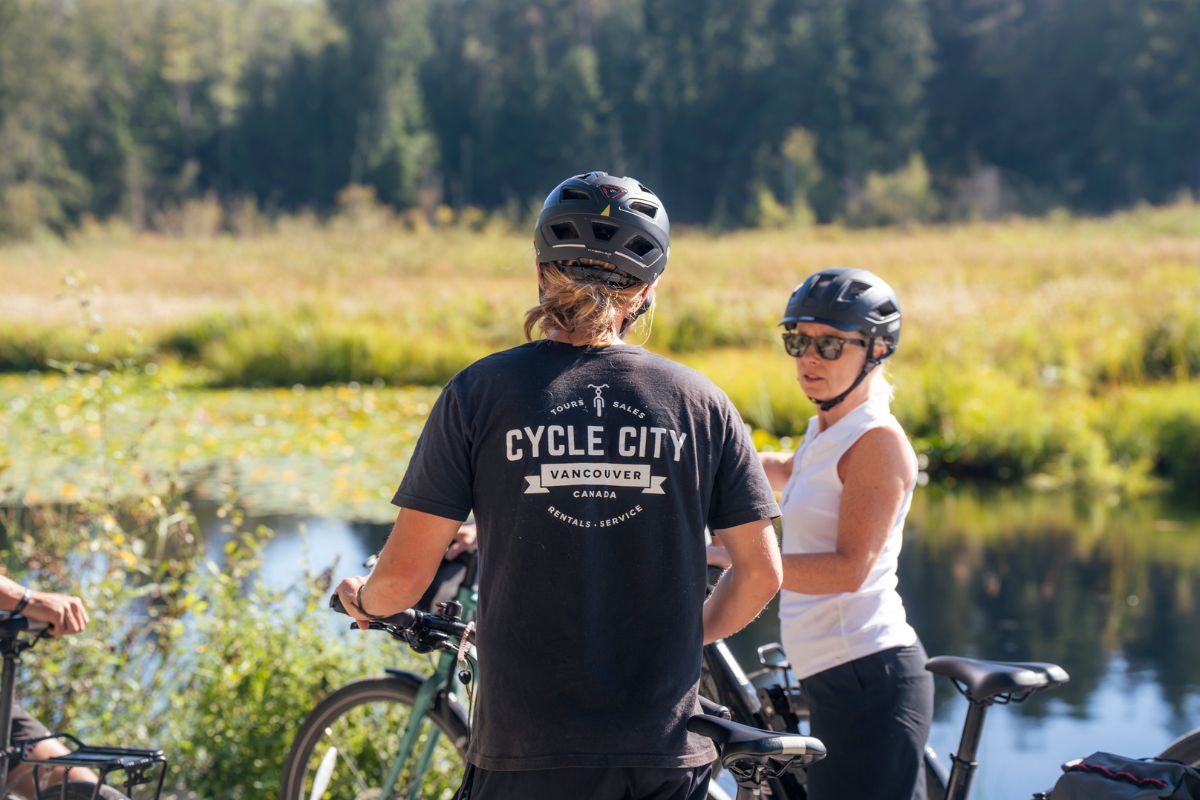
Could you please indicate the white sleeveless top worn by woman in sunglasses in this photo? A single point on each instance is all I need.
(821, 631)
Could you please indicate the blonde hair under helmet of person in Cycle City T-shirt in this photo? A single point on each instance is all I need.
(590, 309)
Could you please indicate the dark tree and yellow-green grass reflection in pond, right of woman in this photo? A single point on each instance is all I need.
(1012, 579)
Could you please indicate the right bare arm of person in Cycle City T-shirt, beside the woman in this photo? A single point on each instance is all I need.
(749, 585)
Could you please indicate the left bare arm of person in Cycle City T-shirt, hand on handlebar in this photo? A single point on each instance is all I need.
(406, 567)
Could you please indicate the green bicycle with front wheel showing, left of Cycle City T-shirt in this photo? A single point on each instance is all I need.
(401, 736)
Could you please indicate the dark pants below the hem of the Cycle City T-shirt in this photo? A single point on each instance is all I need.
(587, 784)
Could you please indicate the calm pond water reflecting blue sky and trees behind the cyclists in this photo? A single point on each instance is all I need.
(1109, 592)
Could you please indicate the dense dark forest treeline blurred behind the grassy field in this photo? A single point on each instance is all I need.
(751, 113)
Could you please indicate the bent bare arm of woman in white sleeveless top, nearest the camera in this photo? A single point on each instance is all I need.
(877, 473)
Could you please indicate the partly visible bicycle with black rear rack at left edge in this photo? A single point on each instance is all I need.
(140, 767)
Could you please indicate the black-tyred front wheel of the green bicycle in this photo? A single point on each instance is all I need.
(350, 744)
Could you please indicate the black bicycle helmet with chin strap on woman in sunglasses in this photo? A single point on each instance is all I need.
(850, 300)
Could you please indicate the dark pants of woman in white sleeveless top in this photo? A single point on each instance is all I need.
(873, 715)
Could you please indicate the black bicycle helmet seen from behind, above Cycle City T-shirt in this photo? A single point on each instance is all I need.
(614, 220)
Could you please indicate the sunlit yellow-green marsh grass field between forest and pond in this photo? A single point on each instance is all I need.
(1061, 352)
